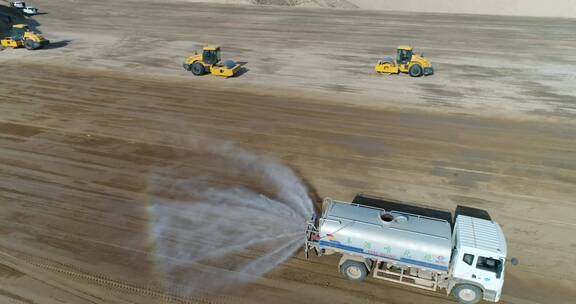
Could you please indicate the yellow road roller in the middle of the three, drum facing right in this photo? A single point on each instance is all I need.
(210, 62)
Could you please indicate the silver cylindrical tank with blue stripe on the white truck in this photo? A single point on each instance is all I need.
(386, 235)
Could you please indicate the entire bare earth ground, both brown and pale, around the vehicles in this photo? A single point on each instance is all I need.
(84, 125)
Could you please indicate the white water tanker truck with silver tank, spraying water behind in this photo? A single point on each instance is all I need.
(466, 260)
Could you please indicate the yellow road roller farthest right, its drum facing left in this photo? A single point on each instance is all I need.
(406, 62)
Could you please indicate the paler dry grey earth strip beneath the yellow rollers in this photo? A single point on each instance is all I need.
(506, 65)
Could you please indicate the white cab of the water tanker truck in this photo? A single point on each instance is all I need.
(478, 259)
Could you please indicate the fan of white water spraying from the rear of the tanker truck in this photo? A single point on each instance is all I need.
(225, 235)
